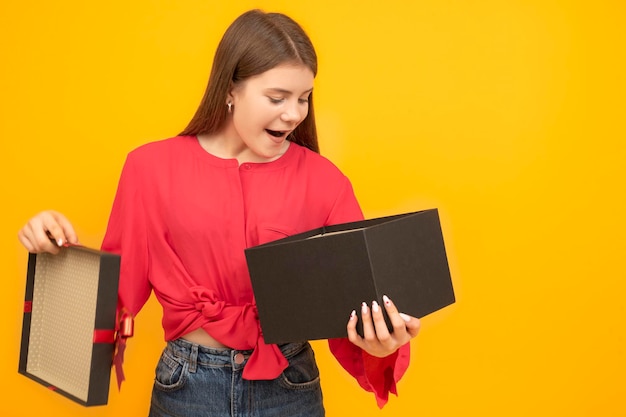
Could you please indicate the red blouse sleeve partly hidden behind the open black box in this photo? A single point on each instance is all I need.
(377, 375)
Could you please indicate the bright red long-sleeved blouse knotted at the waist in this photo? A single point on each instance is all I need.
(181, 220)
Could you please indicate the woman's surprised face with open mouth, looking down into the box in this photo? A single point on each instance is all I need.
(268, 107)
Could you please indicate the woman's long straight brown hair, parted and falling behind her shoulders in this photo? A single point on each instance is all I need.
(254, 43)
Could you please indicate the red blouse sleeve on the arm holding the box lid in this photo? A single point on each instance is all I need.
(126, 235)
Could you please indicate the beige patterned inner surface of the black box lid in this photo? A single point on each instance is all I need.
(63, 316)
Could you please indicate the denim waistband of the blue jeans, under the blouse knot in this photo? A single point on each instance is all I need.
(206, 356)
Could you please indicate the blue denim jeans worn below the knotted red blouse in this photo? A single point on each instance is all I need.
(196, 381)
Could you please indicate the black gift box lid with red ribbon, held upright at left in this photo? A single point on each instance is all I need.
(68, 332)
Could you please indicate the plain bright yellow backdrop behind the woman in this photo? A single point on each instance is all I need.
(506, 115)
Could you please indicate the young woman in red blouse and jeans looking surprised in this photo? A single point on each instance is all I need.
(245, 171)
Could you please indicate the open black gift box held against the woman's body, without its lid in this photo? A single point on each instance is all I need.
(306, 285)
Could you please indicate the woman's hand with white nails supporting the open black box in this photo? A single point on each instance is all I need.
(377, 340)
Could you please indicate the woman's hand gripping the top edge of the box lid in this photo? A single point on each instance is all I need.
(48, 231)
